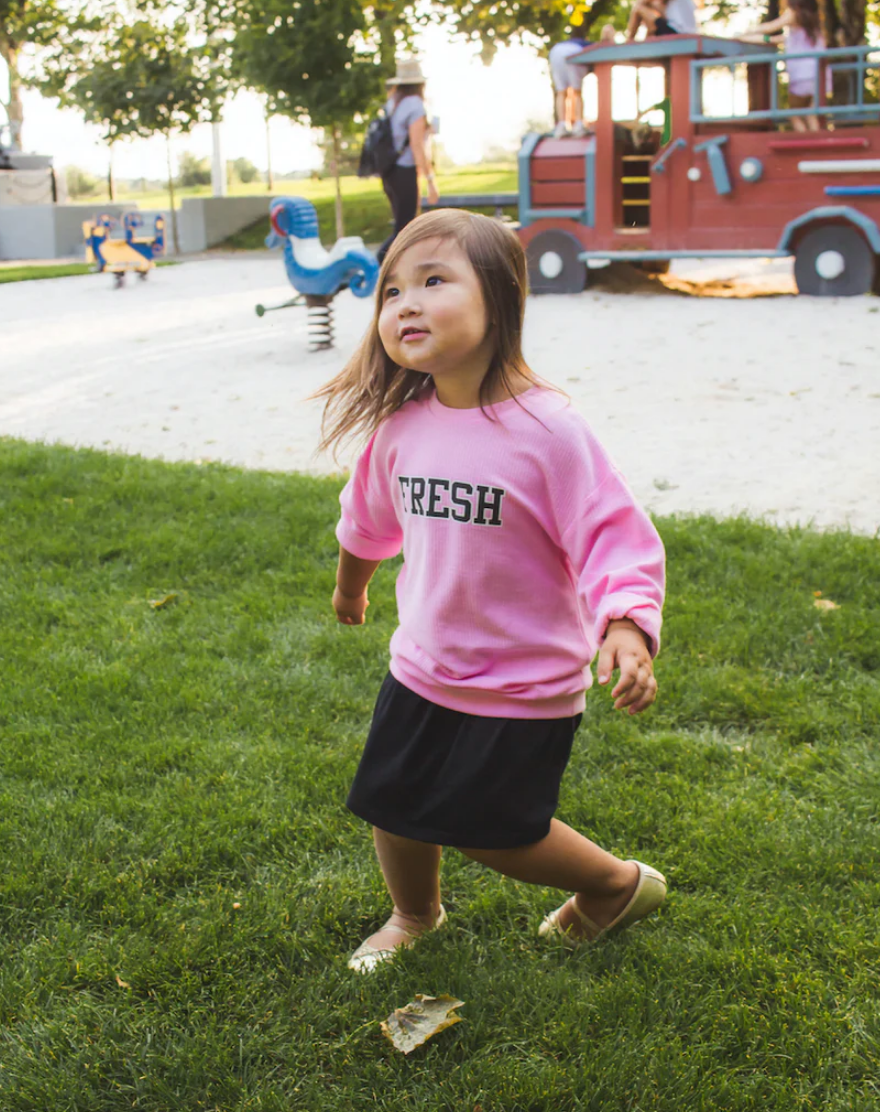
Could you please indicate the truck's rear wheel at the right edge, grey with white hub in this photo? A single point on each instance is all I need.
(835, 261)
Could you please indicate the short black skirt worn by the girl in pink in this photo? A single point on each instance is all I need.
(453, 779)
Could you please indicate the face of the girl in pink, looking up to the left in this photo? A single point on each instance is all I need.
(433, 319)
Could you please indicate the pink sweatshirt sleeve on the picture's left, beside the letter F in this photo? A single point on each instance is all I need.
(369, 527)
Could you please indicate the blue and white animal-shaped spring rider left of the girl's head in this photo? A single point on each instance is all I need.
(315, 273)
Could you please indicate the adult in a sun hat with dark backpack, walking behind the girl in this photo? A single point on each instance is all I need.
(411, 132)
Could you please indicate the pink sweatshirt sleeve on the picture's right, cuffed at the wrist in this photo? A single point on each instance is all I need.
(616, 552)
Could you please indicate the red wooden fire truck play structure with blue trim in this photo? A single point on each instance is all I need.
(703, 182)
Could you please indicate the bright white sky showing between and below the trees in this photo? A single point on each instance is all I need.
(479, 107)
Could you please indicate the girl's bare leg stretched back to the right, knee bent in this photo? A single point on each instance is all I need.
(604, 885)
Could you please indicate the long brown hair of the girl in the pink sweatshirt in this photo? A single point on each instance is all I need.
(371, 386)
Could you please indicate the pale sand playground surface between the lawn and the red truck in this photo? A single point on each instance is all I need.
(715, 390)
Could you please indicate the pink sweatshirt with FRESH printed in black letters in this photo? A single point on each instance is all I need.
(521, 543)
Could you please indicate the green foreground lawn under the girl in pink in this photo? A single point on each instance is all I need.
(182, 883)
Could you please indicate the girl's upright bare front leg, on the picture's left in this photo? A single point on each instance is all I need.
(412, 876)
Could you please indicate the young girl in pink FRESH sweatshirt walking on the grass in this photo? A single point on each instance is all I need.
(525, 553)
